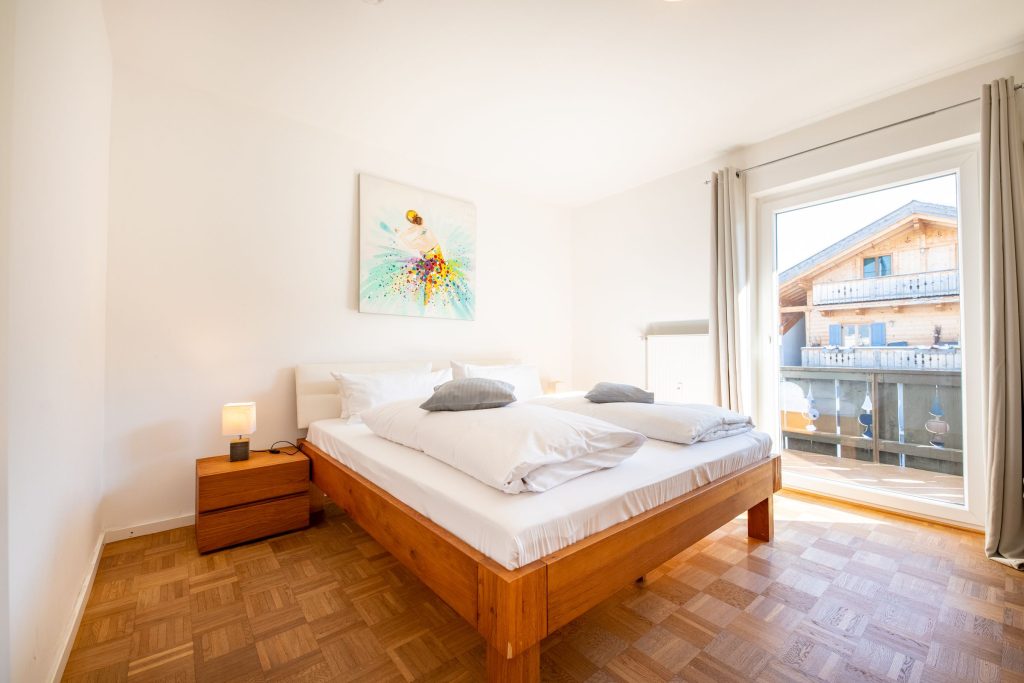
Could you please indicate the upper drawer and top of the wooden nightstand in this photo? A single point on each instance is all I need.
(250, 482)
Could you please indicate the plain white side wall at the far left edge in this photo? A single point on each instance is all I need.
(57, 284)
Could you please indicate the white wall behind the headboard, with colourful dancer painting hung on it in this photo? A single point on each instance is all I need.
(233, 259)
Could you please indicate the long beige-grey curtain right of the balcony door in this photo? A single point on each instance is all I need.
(1003, 274)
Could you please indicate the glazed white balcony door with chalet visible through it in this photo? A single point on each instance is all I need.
(869, 355)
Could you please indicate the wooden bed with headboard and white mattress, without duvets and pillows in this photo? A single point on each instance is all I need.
(519, 568)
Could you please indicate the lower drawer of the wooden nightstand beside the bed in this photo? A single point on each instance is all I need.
(248, 523)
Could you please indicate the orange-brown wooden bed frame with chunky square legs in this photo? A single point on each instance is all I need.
(516, 610)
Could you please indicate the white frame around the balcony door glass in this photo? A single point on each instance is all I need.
(961, 157)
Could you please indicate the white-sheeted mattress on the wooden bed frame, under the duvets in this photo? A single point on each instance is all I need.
(515, 531)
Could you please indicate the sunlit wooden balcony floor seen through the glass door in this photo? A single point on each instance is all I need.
(923, 484)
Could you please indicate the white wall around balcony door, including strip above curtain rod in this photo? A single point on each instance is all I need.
(642, 257)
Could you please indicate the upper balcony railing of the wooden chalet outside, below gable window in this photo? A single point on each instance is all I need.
(913, 286)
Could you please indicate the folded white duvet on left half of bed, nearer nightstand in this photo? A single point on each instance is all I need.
(514, 449)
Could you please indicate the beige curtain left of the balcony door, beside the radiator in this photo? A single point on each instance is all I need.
(728, 284)
